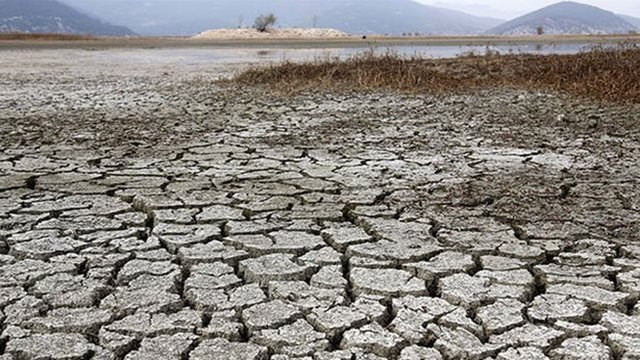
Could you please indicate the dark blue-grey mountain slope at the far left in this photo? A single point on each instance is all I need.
(51, 16)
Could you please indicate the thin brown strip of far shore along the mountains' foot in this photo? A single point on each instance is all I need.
(348, 42)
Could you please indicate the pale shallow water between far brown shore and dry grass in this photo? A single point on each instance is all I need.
(219, 62)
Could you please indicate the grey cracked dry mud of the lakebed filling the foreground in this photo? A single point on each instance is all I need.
(148, 214)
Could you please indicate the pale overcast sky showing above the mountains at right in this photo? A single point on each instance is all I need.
(514, 8)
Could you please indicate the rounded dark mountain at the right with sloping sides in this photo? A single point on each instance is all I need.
(566, 18)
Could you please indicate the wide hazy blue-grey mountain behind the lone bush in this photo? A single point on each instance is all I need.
(187, 17)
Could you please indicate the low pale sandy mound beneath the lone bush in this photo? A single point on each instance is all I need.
(271, 34)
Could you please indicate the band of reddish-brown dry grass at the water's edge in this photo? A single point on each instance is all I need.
(601, 73)
